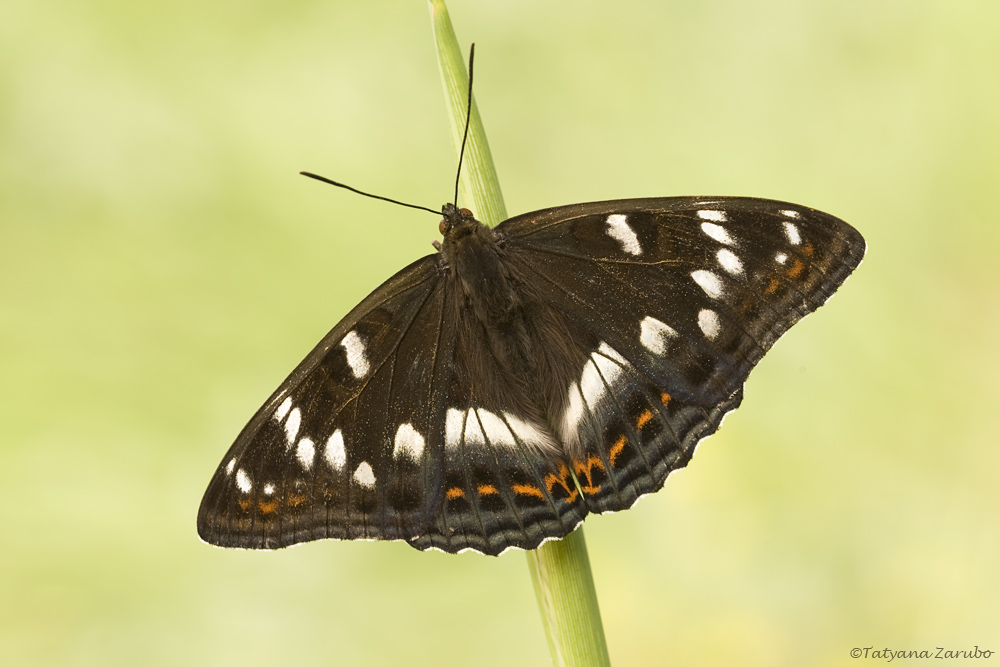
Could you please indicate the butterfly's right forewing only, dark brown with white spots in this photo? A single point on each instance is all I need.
(692, 291)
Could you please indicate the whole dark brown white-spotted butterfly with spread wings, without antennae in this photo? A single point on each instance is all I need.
(493, 394)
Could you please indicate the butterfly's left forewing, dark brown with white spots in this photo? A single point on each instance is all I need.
(348, 446)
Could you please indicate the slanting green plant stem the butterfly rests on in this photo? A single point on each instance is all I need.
(560, 569)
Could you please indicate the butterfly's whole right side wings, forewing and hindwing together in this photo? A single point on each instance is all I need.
(684, 295)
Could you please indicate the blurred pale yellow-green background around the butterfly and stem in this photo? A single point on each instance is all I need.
(163, 267)
